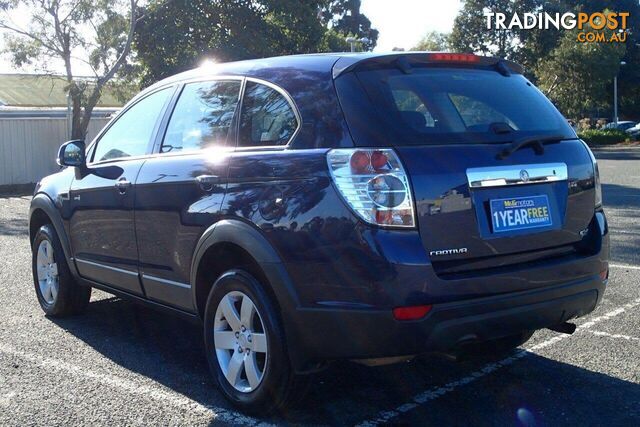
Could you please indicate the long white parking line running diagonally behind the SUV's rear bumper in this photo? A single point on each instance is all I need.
(434, 393)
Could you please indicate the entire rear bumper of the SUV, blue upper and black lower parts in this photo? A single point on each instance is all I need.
(352, 319)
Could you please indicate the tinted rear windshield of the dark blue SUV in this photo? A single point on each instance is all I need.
(436, 105)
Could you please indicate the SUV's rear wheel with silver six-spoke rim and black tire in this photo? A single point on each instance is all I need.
(247, 354)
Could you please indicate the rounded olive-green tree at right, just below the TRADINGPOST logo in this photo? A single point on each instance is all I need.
(576, 75)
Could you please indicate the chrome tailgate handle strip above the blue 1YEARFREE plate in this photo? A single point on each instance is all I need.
(500, 176)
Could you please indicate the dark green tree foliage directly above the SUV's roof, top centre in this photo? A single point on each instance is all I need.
(177, 35)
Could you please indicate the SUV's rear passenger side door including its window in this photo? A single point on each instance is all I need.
(181, 189)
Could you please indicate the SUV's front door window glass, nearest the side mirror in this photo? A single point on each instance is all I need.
(131, 133)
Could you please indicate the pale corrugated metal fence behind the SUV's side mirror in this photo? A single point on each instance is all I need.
(28, 146)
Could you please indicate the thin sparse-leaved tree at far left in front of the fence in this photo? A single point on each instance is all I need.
(58, 29)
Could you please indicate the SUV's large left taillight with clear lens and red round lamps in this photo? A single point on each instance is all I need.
(374, 184)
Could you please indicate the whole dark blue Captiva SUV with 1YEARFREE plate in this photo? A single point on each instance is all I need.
(323, 207)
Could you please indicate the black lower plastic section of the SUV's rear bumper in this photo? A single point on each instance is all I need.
(362, 334)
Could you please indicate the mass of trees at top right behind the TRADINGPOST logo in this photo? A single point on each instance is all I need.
(550, 53)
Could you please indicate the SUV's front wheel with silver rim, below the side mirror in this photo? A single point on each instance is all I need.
(58, 293)
